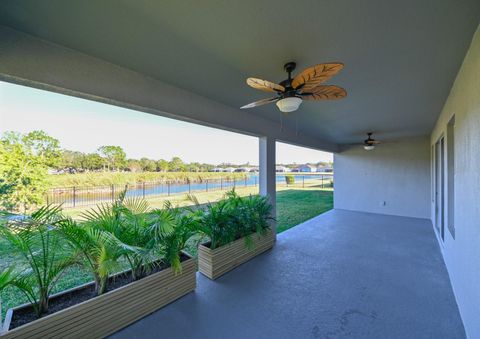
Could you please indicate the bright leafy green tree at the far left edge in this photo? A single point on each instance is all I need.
(24, 162)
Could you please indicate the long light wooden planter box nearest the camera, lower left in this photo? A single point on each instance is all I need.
(114, 310)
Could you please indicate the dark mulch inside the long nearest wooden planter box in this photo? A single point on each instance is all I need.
(64, 300)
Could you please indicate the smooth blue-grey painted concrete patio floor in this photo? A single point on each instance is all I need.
(341, 274)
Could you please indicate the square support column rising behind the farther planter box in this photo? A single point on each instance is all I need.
(267, 172)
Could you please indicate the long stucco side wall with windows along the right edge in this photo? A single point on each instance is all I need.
(462, 254)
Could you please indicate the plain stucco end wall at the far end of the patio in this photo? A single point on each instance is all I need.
(392, 179)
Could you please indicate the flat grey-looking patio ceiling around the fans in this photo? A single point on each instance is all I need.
(400, 57)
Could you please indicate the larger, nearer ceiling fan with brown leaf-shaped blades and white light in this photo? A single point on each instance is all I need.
(305, 86)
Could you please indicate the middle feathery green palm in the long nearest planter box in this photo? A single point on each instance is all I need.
(110, 232)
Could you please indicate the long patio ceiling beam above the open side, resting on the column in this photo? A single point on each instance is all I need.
(27, 60)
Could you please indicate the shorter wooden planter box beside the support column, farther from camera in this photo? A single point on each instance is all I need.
(214, 263)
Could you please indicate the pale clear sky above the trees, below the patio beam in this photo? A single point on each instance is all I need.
(84, 125)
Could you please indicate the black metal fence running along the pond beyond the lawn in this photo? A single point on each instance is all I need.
(76, 196)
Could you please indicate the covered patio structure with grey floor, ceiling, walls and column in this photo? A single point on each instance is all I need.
(399, 256)
